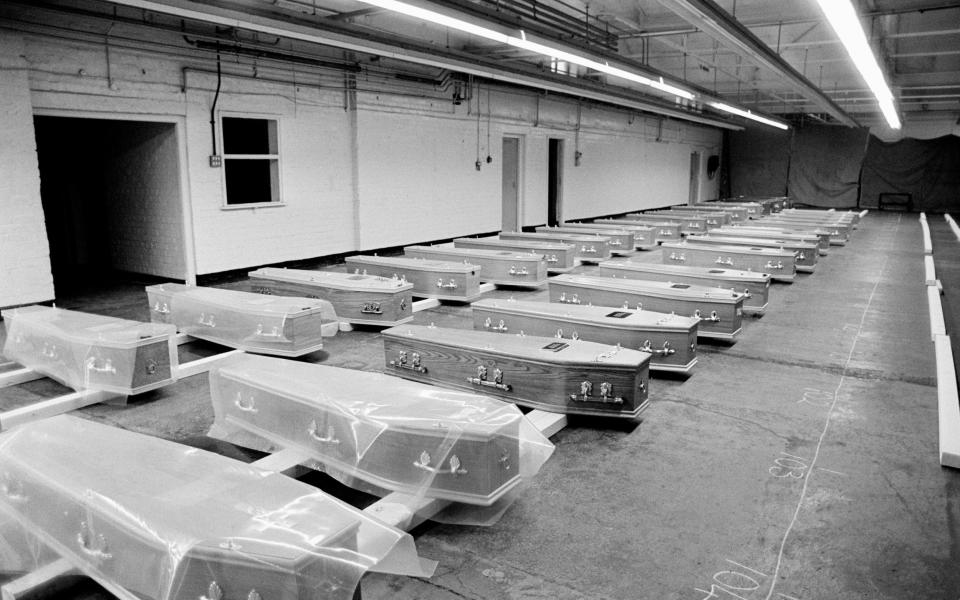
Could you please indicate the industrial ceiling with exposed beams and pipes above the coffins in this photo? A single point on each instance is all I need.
(780, 58)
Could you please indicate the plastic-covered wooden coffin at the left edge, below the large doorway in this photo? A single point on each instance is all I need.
(88, 351)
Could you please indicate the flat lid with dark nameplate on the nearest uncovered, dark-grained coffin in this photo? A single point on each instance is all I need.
(531, 348)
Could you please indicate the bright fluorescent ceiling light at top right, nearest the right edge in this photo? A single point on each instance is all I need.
(843, 18)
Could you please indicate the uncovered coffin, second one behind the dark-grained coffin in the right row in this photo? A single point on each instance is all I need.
(720, 311)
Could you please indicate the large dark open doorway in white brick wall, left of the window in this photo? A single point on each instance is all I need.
(111, 200)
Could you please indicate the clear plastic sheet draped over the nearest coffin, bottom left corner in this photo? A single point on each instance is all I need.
(157, 520)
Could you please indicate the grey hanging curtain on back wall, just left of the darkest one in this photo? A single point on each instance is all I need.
(825, 163)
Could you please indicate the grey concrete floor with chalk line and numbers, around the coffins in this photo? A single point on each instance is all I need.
(798, 463)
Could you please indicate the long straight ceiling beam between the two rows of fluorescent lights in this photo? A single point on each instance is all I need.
(723, 27)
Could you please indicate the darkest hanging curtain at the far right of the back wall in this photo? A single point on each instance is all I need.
(928, 170)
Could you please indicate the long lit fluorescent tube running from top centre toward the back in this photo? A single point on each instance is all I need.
(523, 43)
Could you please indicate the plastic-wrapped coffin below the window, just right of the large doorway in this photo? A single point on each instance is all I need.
(251, 322)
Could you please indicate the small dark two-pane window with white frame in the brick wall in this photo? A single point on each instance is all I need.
(251, 161)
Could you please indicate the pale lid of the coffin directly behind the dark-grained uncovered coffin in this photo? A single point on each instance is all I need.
(600, 316)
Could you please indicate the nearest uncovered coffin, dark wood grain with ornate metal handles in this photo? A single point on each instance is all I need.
(566, 376)
